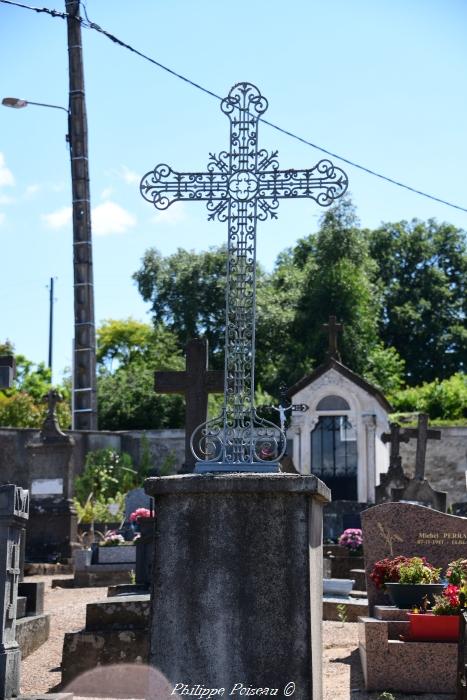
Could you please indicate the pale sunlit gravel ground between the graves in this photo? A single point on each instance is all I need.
(342, 674)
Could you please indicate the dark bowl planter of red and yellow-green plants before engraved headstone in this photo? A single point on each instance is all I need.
(407, 580)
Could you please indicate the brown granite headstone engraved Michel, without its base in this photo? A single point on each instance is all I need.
(393, 529)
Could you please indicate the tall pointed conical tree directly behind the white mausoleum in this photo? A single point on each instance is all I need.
(337, 280)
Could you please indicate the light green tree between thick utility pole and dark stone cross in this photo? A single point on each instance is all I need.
(126, 395)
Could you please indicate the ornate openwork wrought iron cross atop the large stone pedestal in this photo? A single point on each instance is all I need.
(241, 186)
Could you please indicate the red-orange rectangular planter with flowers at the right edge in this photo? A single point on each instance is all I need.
(442, 622)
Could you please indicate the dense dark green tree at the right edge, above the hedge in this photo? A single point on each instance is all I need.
(422, 271)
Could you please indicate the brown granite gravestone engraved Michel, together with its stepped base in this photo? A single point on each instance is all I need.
(388, 661)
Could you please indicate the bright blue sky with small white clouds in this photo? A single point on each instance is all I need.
(381, 83)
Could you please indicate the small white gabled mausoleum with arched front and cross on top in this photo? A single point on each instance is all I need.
(339, 438)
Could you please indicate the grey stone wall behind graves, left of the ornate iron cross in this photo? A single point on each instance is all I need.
(15, 461)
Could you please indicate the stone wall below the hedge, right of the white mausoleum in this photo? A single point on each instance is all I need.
(446, 462)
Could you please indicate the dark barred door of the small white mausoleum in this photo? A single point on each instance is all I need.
(334, 456)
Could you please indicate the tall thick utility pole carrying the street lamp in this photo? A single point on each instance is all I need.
(84, 364)
